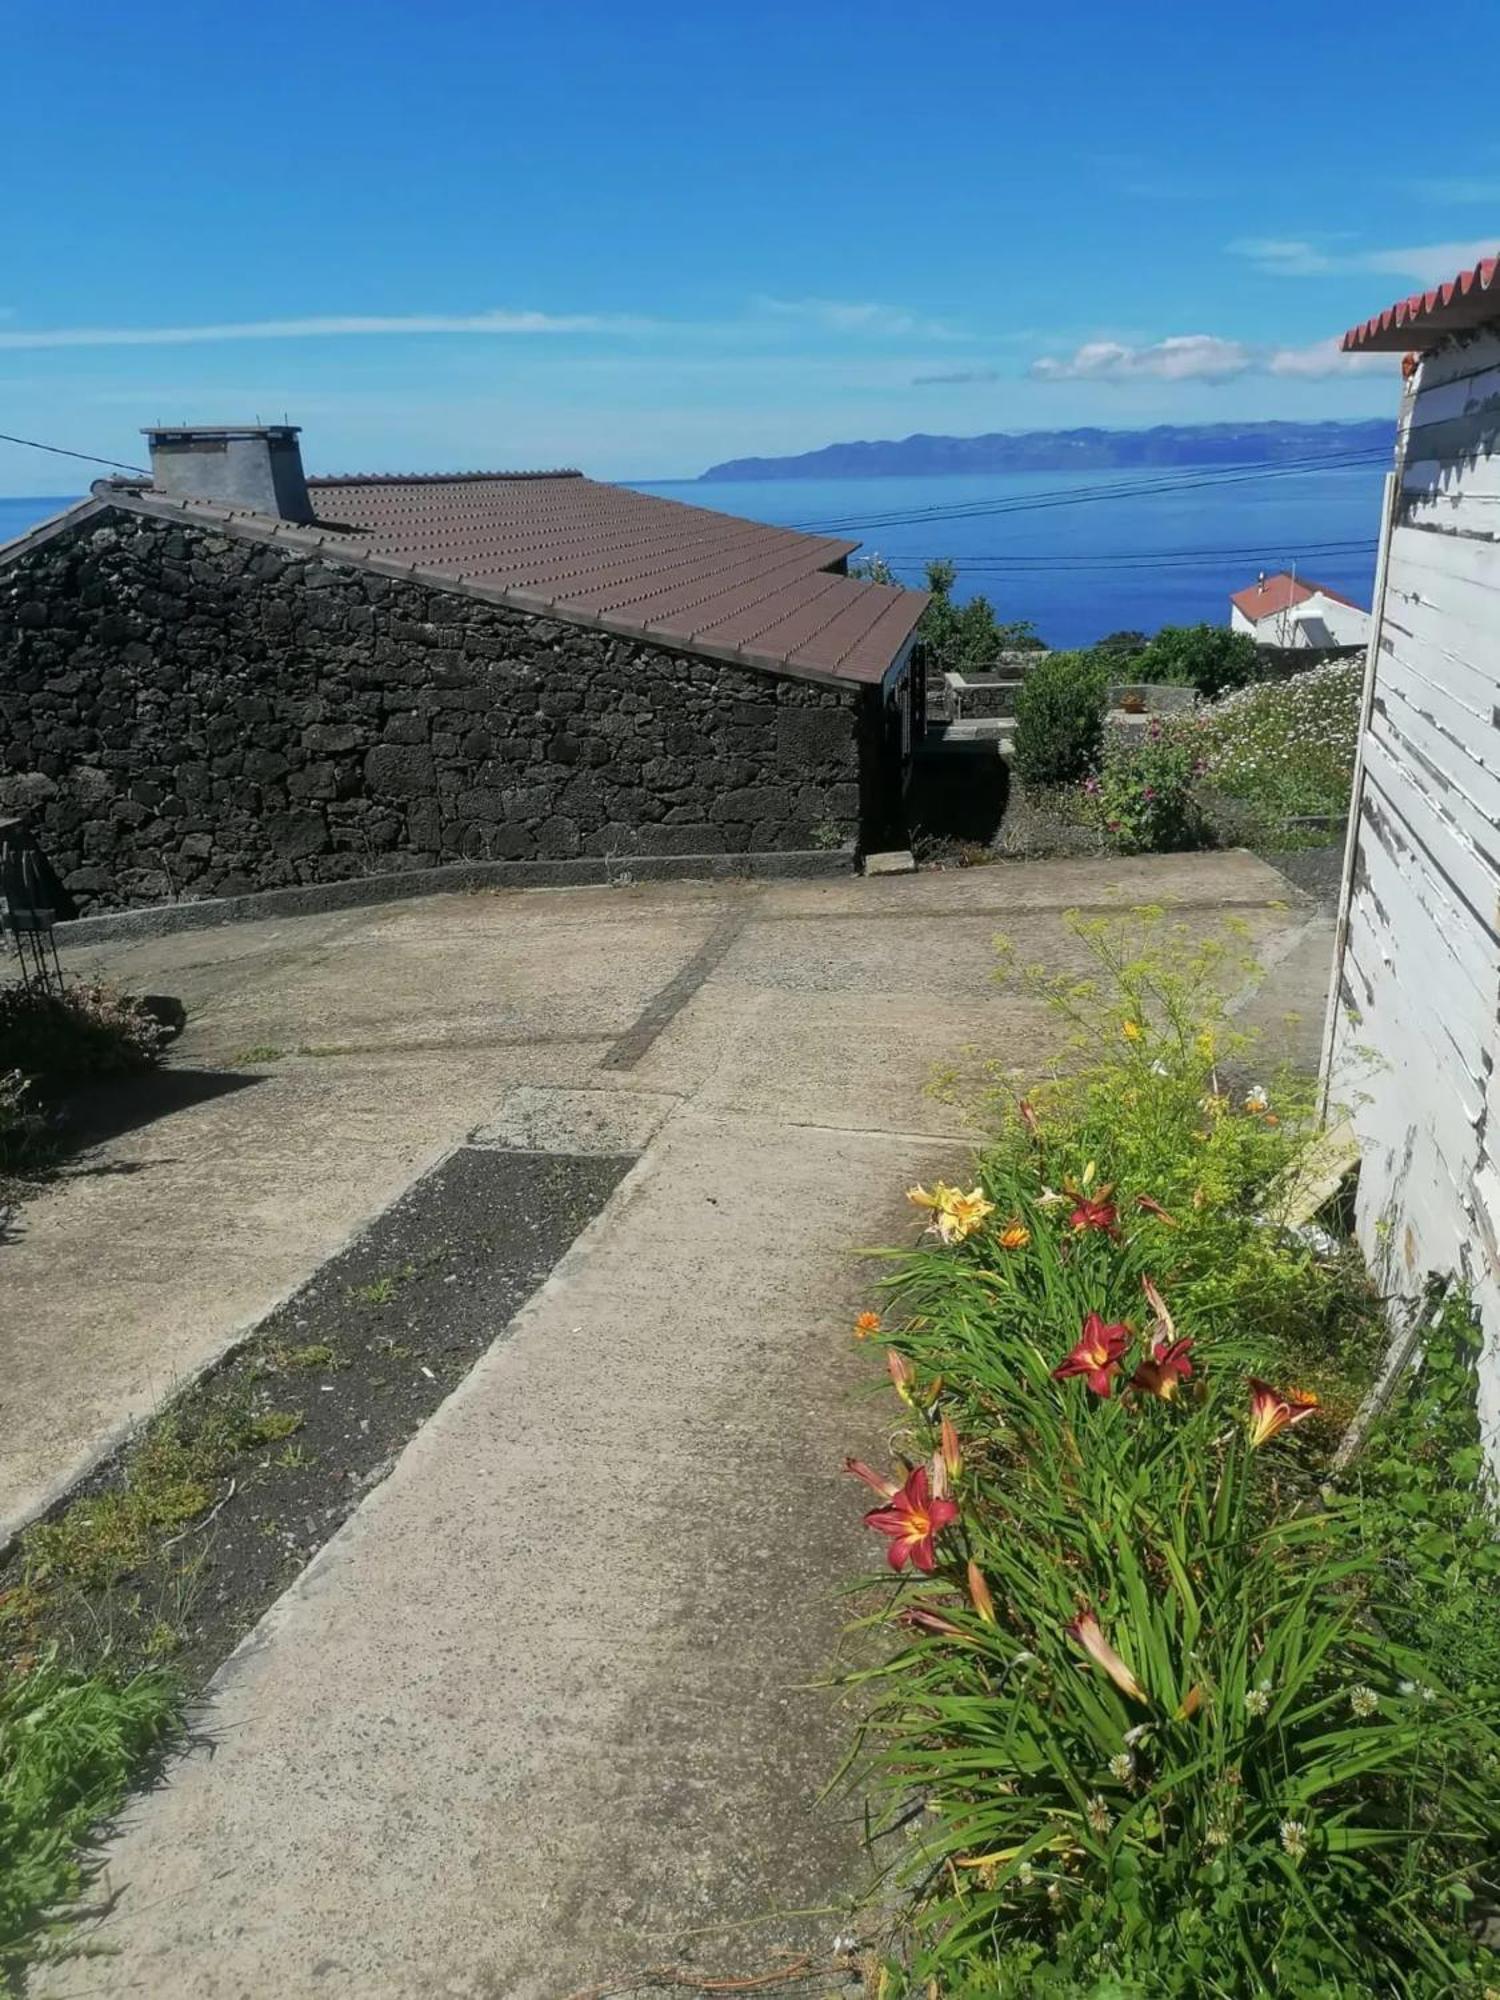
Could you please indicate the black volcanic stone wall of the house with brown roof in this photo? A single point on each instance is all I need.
(193, 715)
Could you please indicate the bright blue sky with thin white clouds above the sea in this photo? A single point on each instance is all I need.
(647, 237)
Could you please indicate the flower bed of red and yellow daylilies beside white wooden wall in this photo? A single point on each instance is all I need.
(1187, 1717)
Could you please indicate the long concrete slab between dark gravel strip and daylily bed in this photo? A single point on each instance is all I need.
(543, 1711)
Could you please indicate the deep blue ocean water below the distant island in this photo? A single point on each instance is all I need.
(1077, 553)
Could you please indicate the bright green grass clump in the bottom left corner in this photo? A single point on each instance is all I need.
(71, 1747)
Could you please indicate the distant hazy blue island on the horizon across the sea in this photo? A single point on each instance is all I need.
(1067, 451)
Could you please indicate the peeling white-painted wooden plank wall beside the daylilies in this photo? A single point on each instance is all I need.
(1413, 1023)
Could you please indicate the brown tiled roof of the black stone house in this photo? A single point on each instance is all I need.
(635, 565)
